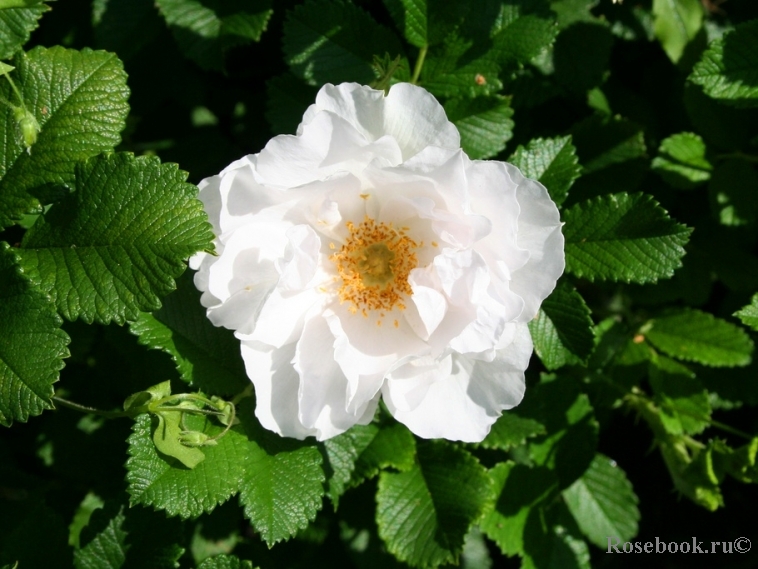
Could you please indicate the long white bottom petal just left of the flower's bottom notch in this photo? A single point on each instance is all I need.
(323, 386)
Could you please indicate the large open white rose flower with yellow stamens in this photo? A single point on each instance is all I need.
(369, 257)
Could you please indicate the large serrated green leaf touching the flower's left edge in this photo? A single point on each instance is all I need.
(114, 247)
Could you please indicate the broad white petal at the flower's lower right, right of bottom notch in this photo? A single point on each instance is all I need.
(463, 404)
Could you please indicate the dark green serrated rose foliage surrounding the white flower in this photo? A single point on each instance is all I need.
(639, 119)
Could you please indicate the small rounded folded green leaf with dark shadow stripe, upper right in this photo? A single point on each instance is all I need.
(681, 161)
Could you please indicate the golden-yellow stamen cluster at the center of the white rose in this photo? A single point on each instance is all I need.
(373, 265)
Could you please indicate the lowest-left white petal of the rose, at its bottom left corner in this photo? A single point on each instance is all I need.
(276, 388)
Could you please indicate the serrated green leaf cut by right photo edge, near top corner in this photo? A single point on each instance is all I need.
(728, 70)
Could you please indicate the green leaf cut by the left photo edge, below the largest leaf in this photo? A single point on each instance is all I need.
(32, 344)
